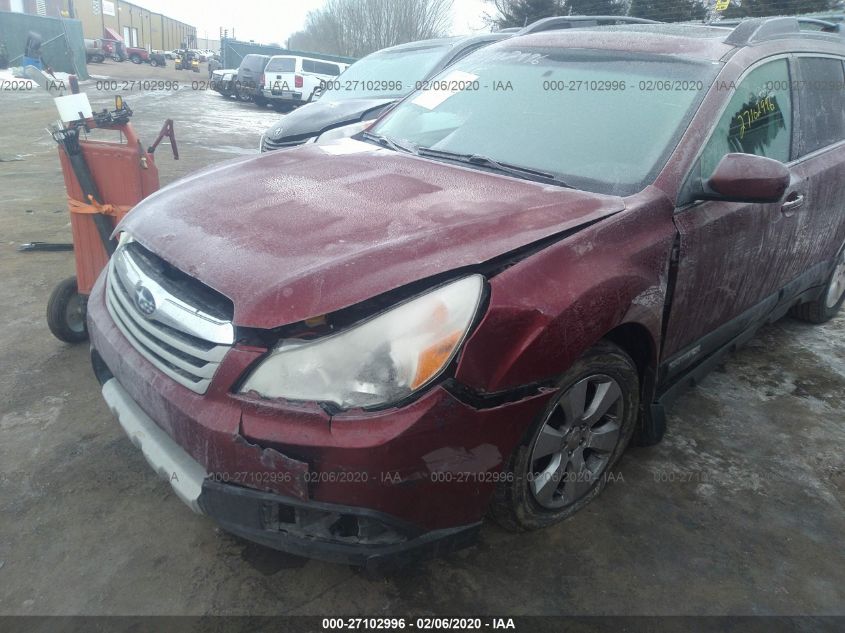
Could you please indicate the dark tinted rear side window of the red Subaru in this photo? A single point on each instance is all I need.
(820, 99)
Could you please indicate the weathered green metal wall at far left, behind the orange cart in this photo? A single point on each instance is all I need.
(59, 52)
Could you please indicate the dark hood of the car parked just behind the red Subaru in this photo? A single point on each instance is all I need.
(314, 118)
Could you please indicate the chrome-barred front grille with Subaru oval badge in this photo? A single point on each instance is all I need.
(184, 331)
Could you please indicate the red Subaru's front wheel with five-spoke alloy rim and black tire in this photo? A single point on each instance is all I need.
(545, 488)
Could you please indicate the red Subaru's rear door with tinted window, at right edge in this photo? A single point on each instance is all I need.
(820, 153)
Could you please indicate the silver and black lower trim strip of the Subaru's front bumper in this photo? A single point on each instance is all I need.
(331, 532)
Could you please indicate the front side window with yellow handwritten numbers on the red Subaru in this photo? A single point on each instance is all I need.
(758, 119)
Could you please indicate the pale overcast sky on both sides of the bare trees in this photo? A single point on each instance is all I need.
(275, 20)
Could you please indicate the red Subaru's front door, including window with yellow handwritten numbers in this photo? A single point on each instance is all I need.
(729, 260)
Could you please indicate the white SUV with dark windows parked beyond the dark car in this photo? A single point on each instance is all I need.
(290, 80)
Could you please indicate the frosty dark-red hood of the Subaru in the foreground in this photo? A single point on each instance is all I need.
(293, 235)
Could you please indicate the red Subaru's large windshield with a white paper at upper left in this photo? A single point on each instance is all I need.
(603, 121)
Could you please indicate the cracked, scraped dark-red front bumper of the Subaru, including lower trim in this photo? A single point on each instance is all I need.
(360, 488)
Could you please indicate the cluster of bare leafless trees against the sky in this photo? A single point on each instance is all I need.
(359, 27)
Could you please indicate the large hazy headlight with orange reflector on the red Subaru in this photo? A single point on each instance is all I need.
(379, 361)
